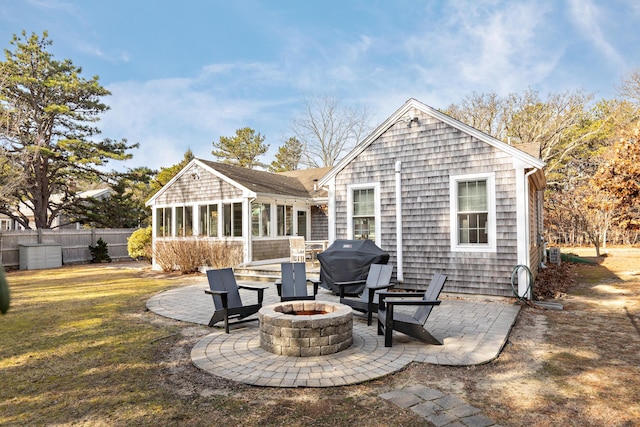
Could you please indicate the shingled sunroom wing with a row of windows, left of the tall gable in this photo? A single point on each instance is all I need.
(255, 210)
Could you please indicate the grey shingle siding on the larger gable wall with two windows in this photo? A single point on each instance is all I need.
(432, 151)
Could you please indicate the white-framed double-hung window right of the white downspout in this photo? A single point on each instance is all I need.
(473, 209)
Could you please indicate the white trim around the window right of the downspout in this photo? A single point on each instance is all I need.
(491, 246)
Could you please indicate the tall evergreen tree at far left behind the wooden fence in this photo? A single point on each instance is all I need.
(47, 117)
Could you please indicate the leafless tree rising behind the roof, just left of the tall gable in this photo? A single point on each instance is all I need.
(328, 129)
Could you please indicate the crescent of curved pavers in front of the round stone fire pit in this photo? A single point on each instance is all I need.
(238, 356)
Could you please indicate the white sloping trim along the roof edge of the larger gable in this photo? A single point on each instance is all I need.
(413, 104)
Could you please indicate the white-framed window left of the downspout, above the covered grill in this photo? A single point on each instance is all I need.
(363, 211)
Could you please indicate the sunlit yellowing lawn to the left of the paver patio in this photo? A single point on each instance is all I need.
(77, 347)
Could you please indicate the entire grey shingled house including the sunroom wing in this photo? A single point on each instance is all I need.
(436, 194)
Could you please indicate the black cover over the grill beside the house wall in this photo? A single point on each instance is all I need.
(349, 260)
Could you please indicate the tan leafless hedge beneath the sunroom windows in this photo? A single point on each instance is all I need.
(188, 256)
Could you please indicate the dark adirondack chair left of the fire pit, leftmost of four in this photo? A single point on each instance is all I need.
(226, 298)
